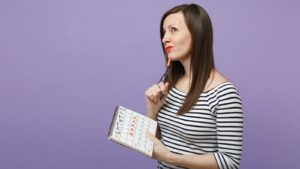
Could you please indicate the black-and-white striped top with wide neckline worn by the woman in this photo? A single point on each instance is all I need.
(213, 125)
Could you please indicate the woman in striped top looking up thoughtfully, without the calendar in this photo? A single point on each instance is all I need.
(199, 112)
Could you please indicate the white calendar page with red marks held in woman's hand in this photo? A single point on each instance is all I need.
(129, 128)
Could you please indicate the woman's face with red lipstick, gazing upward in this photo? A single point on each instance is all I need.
(177, 38)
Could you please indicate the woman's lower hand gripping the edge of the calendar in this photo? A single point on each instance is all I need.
(160, 152)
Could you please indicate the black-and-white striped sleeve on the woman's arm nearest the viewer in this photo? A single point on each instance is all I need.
(229, 119)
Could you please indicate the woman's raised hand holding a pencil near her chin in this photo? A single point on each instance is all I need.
(155, 97)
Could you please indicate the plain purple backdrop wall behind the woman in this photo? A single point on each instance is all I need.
(65, 64)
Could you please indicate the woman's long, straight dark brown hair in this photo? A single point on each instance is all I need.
(202, 60)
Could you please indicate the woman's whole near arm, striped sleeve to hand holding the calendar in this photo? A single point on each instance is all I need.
(229, 118)
